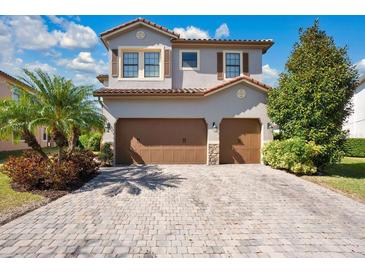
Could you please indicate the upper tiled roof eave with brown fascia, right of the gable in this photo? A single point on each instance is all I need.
(264, 44)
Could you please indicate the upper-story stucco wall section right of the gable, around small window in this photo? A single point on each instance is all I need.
(206, 76)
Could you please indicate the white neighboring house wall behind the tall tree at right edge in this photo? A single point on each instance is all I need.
(356, 122)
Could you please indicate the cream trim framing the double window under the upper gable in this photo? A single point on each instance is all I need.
(141, 51)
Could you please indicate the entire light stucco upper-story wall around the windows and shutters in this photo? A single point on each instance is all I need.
(206, 76)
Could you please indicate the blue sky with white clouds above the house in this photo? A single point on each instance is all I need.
(69, 45)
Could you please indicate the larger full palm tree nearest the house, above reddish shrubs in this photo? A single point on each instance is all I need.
(66, 109)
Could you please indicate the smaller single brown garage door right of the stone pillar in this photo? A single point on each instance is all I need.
(239, 141)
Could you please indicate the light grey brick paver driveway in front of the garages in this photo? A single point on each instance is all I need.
(191, 211)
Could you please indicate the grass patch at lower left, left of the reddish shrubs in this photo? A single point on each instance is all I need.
(10, 199)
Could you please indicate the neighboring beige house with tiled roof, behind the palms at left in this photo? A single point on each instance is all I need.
(7, 84)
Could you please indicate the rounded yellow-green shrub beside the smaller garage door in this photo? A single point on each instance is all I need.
(295, 155)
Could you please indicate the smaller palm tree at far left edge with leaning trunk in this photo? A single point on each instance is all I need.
(16, 118)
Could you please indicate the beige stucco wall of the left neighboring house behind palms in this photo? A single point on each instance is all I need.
(7, 145)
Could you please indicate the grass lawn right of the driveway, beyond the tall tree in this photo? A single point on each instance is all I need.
(347, 177)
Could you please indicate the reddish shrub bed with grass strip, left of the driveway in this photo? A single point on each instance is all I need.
(28, 181)
